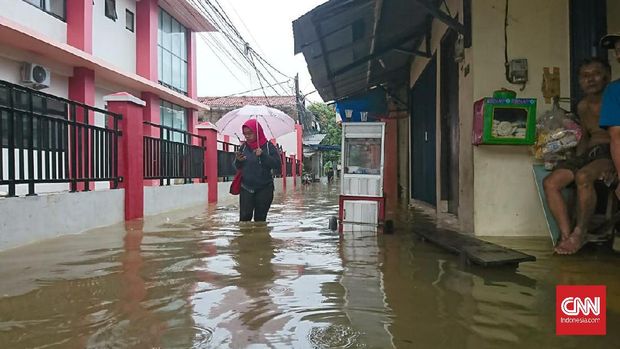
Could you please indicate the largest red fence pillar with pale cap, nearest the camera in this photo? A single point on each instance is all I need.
(131, 146)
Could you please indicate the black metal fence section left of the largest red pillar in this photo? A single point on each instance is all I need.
(48, 139)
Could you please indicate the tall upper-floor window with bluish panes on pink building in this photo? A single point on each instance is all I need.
(172, 52)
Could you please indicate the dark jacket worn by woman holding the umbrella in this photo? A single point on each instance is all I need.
(256, 172)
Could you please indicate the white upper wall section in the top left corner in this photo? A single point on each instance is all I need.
(34, 18)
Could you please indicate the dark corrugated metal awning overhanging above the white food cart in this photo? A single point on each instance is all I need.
(351, 46)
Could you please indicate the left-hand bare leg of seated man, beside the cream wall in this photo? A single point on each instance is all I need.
(553, 185)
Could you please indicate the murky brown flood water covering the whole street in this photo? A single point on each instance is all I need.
(206, 281)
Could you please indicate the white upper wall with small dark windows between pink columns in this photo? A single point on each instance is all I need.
(111, 41)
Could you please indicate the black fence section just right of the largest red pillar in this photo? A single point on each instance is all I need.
(173, 155)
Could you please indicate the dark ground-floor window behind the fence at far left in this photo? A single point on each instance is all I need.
(48, 135)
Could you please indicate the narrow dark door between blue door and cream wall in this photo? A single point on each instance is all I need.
(449, 111)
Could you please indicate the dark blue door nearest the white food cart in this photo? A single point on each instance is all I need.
(423, 119)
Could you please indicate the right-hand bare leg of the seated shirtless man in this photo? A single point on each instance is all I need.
(586, 203)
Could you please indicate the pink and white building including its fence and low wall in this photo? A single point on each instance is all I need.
(98, 95)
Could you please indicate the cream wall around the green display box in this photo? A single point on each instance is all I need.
(506, 202)
